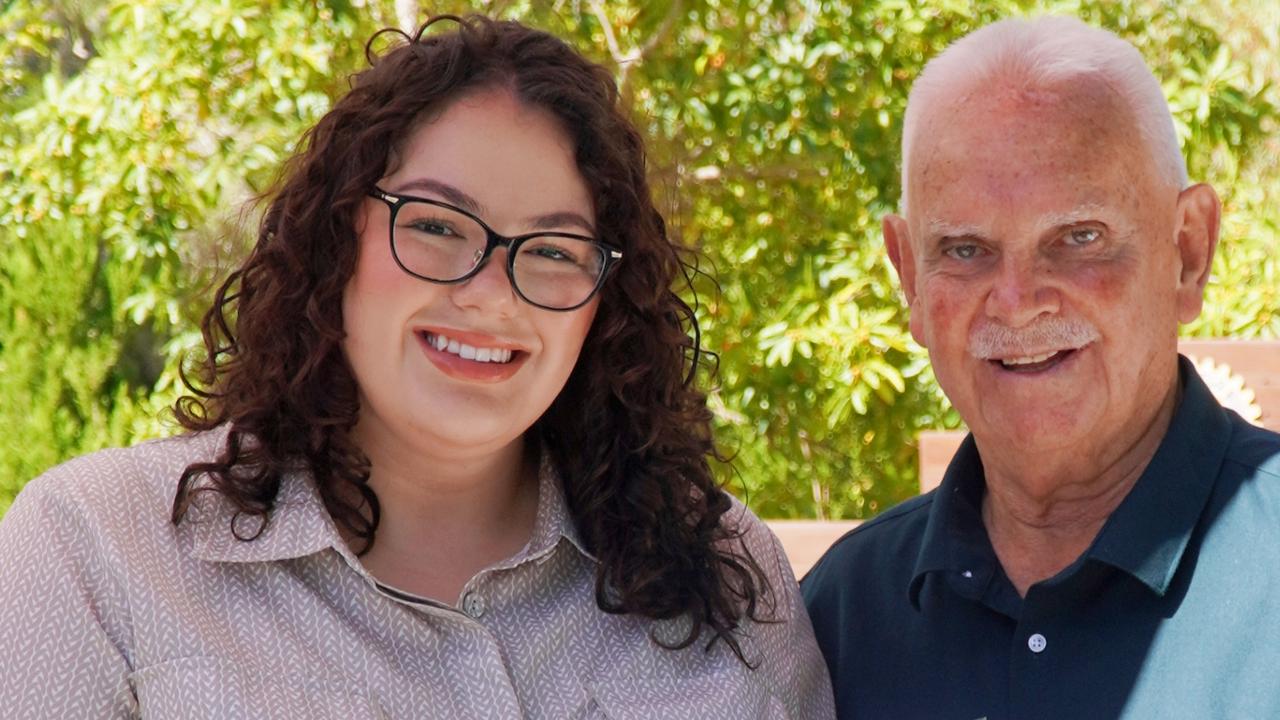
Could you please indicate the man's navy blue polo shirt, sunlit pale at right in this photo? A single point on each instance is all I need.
(1174, 612)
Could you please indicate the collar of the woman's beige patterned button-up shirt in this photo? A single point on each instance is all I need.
(301, 526)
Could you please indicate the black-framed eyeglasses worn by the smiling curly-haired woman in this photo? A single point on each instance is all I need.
(442, 244)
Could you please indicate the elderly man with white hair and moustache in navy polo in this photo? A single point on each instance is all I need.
(1107, 543)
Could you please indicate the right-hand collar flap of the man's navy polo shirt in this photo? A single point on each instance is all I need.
(1149, 532)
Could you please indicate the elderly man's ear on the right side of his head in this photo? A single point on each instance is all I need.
(1196, 234)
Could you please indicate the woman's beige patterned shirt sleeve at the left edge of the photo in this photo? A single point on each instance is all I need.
(60, 614)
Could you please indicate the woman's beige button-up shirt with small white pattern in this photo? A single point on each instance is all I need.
(107, 610)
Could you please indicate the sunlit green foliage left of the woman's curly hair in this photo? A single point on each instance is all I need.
(130, 133)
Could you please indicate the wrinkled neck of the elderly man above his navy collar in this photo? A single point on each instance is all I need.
(1044, 512)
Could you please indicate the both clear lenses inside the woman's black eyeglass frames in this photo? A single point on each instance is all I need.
(445, 245)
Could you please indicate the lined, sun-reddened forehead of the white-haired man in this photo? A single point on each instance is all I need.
(1059, 154)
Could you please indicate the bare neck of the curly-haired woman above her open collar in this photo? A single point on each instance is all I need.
(447, 516)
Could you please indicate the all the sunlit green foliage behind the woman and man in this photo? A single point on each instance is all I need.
(134, 131)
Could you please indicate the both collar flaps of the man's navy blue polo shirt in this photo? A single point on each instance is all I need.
(1146, 536)
